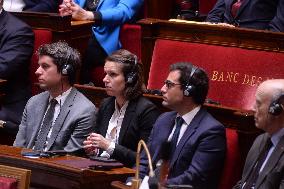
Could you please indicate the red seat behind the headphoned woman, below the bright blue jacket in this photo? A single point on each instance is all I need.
(130, 38)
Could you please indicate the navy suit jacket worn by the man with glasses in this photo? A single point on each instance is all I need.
(199, 156)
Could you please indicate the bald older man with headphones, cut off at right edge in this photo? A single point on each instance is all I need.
(264, 167)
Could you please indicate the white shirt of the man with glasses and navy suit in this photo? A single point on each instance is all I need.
(187, 120)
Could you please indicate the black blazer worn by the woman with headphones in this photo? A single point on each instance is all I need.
(137, 124)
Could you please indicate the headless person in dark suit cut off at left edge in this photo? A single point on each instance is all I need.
(16, 48)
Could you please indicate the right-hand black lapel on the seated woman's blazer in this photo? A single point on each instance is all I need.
(129, 115)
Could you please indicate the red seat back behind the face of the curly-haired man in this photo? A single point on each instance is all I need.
(41, 37)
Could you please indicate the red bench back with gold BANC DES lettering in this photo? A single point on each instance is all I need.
(234, 73)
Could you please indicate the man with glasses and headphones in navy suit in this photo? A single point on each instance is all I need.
(197, 141)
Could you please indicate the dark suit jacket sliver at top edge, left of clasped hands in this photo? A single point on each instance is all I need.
(42, 5)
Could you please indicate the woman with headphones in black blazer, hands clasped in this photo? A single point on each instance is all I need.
(126, 117)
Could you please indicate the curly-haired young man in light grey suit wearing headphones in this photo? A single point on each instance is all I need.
(62, 117)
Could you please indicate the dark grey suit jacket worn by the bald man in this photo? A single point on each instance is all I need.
(272, 175)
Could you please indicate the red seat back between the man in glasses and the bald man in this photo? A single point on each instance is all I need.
(232, 169)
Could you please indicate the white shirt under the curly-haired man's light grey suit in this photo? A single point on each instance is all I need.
(60, 101)
